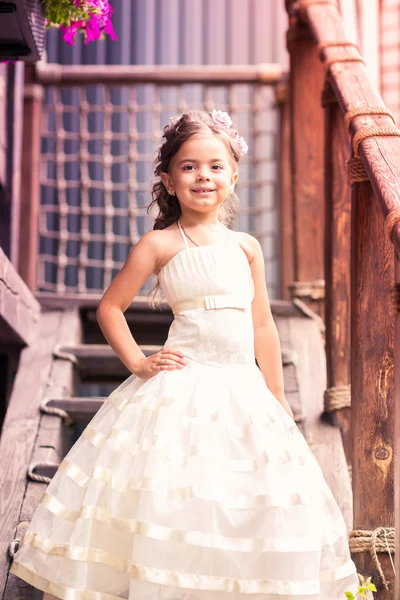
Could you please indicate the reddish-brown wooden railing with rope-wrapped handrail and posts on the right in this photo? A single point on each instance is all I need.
(343, 158)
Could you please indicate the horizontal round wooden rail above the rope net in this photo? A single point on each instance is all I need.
(68, 75)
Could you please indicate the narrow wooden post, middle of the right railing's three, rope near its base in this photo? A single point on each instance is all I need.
(337, 264)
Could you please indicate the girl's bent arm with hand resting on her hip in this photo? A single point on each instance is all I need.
(142, 262)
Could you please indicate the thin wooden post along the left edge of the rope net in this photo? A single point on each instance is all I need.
(30, 180)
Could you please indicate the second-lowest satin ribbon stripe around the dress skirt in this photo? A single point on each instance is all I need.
(193, 538)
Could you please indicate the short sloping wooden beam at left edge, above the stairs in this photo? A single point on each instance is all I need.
(19, 309)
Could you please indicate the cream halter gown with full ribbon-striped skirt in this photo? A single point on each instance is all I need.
(195, 484)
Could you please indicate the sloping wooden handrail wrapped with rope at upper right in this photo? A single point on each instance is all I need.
(352, 87)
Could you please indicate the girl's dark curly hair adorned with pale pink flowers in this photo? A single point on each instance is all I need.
(178, 131)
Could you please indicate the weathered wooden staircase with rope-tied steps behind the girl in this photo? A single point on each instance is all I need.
(68, 358)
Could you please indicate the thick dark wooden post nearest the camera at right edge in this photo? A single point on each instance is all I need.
(372, 338)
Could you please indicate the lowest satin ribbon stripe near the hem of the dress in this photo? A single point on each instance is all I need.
(188, 580)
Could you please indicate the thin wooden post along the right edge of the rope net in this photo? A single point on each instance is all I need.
(285, 192)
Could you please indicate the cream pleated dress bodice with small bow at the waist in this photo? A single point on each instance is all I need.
(210, 289)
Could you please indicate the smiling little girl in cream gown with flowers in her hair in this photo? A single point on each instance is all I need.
(192, 482)
